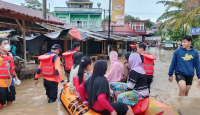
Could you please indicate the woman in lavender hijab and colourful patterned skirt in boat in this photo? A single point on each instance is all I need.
(136, 87)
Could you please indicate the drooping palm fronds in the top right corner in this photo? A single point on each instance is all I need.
(185, 13)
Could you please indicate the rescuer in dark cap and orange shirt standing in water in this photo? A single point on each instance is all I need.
(50, 69)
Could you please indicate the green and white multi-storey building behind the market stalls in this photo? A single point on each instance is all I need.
(80, 14)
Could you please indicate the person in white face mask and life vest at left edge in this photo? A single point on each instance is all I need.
(7, 73)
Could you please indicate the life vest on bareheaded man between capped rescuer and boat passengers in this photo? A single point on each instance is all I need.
(68, 59)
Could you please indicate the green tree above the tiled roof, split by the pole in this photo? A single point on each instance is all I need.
(34, 4)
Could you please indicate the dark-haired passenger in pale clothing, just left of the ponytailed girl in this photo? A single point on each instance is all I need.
(77, 58)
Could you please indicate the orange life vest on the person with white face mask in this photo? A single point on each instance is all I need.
(7, 64)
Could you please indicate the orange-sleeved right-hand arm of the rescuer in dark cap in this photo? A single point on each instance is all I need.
(58, 70)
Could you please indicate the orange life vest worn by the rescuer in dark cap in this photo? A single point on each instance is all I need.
(47, 65)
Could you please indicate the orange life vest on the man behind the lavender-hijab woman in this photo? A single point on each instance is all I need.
(148, 63)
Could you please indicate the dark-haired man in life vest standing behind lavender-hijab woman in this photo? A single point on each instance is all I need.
(147, 63)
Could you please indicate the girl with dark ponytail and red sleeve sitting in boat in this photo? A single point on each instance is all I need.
(83, 73)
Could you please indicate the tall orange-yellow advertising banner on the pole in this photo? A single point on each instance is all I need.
(118, 7)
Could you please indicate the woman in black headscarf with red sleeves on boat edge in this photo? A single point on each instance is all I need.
(97, 89)
